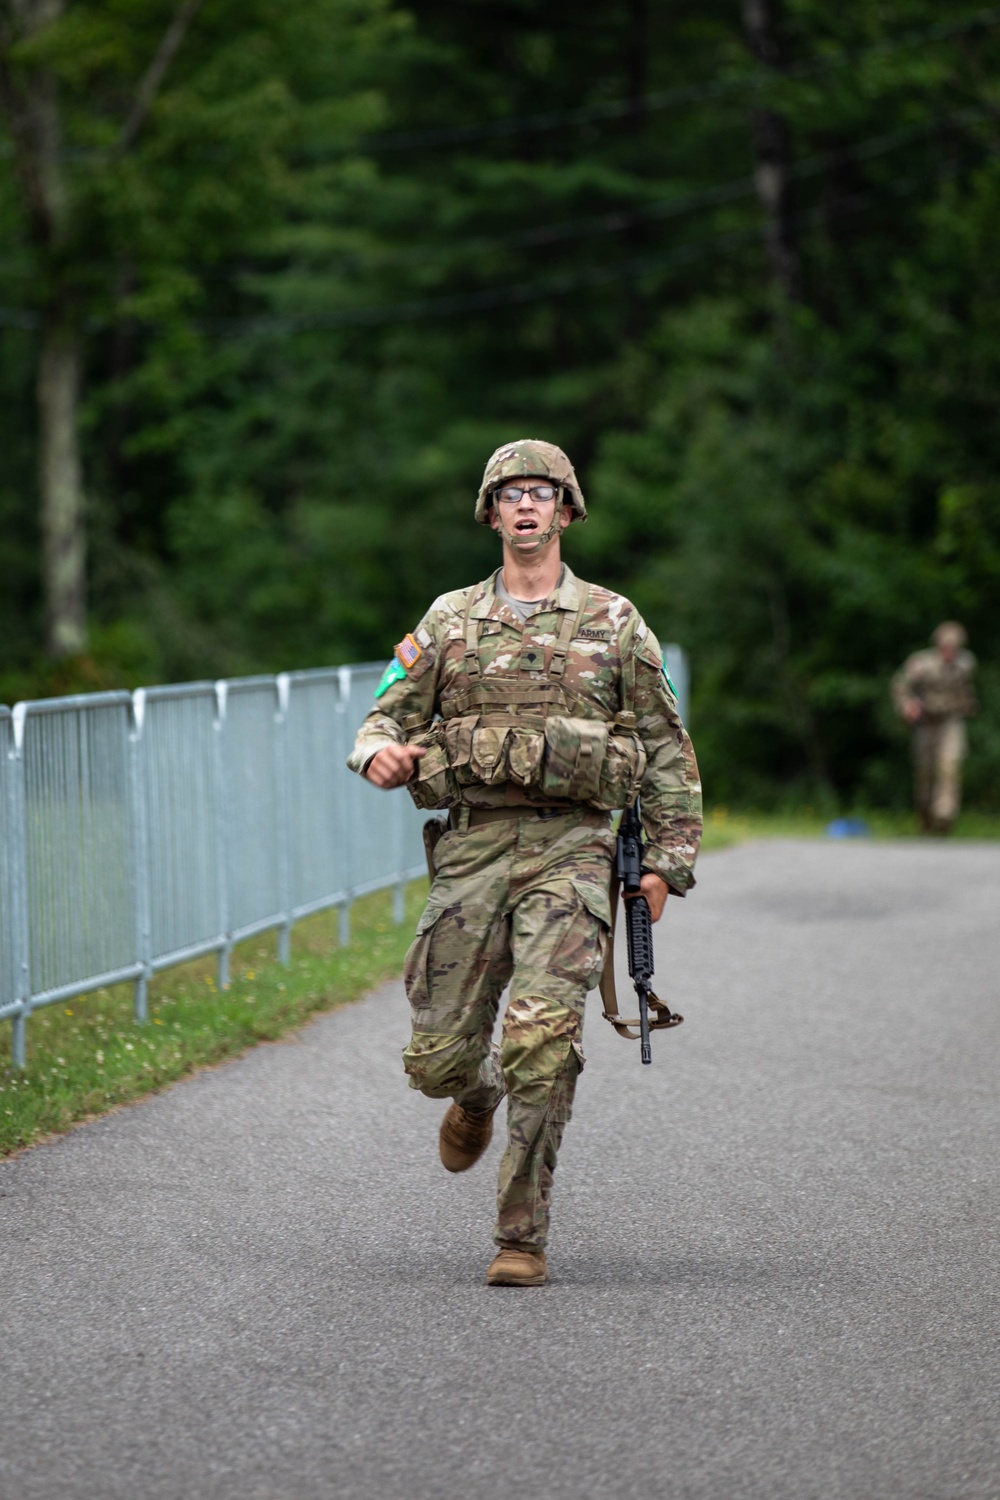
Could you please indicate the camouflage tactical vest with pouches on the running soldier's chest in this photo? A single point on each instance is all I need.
(542, 742)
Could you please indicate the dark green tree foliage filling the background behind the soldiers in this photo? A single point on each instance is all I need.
(358, 245)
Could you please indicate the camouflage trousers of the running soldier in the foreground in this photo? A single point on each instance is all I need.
(522, 901)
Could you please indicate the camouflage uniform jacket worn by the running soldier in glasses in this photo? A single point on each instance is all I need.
(612, 650)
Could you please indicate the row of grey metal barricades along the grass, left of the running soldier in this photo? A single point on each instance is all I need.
(143, 830)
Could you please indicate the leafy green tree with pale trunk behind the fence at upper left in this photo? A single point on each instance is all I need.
(152, 149)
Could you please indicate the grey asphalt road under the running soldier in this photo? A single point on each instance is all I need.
(774, 1262)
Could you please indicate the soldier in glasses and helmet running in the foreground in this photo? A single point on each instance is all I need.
(530, 706)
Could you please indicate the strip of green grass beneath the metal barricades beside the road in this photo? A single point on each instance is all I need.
(89, 1057)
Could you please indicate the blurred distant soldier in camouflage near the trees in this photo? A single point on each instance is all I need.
(933, 692)
